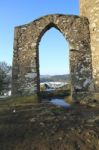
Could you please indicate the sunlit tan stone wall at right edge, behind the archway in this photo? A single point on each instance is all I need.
(90, 9)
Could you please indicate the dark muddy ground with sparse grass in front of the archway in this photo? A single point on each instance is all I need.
(47, 127)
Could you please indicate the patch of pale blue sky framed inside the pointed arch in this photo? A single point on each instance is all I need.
(54, 53)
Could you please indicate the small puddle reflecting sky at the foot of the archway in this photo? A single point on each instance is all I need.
(60, 102)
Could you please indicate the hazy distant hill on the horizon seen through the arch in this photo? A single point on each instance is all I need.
(55, 78)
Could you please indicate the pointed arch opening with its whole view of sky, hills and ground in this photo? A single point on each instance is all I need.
(54, 65)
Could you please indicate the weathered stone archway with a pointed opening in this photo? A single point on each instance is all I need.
(25, 79)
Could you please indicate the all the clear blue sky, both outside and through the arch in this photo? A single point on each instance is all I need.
(19, 12)
